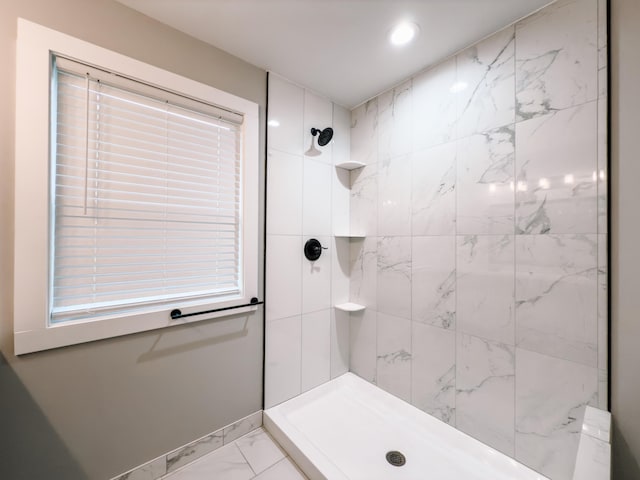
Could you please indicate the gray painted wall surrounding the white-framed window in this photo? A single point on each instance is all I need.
(98, 409)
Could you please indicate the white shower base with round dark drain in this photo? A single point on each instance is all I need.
(343, 429)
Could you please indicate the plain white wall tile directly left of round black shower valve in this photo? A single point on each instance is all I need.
(283, 273)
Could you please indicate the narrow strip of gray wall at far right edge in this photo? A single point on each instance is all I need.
(625, 198)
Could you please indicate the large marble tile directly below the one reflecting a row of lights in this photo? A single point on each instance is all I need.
(556, 296)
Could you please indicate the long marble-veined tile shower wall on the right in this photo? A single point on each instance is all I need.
(483, 270)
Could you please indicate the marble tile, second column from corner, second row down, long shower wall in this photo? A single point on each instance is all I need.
(394, 198)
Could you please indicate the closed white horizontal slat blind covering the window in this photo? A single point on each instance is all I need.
(147, 200)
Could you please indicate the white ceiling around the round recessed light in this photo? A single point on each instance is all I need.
(338, 48)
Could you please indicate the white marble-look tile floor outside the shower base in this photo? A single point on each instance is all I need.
(256, 456)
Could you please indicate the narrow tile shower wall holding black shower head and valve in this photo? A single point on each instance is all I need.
(306, 340)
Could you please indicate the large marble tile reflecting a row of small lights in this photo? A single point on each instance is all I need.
(555, 166)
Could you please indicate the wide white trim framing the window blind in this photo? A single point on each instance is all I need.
(32, 331)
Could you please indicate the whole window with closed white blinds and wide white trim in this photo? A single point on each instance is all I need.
(136, 193)
